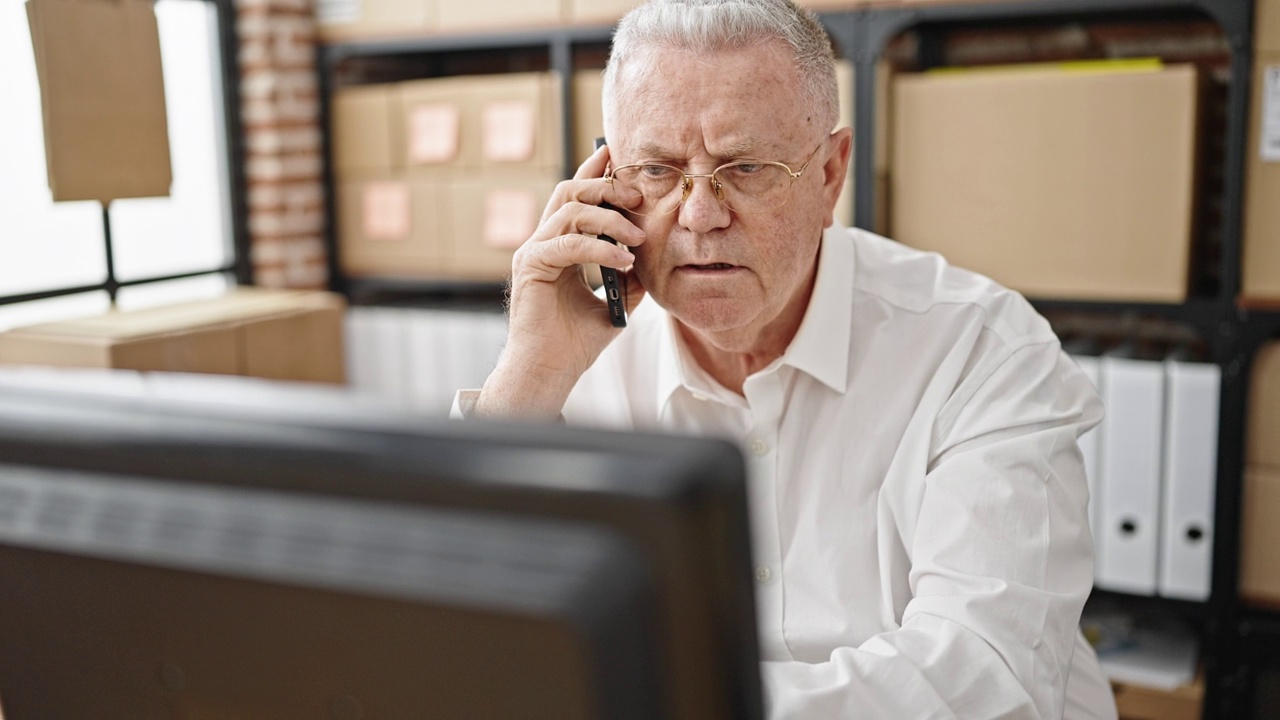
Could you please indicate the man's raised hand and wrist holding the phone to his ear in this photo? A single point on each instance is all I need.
(557, 327)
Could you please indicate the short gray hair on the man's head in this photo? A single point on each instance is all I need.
(708, 26)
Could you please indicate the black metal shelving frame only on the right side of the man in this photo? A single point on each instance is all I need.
(1232, 335)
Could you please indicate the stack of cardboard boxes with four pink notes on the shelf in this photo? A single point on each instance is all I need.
(444, 179)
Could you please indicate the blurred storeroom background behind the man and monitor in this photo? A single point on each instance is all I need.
(332, 192)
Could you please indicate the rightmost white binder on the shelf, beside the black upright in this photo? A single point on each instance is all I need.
(1191, 473)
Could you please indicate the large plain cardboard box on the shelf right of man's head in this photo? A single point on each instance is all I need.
(1058, 183)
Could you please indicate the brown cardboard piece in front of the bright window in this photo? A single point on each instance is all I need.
(107, 133)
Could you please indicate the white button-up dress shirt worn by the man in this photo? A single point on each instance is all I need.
(918, 496)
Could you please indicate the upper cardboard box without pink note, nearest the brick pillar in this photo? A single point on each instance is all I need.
(363, 134)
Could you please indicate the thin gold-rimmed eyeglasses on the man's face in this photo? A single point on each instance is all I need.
(743, 186)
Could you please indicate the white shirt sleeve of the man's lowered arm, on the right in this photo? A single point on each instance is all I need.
(1002, 562)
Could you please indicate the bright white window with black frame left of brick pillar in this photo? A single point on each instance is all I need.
(54, 256)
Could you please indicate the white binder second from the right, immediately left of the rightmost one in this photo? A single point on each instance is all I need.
(1131, 458)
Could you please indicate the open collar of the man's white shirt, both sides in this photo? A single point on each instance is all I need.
(821, 347)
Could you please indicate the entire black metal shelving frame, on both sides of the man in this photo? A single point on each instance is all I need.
(1232, 334)
